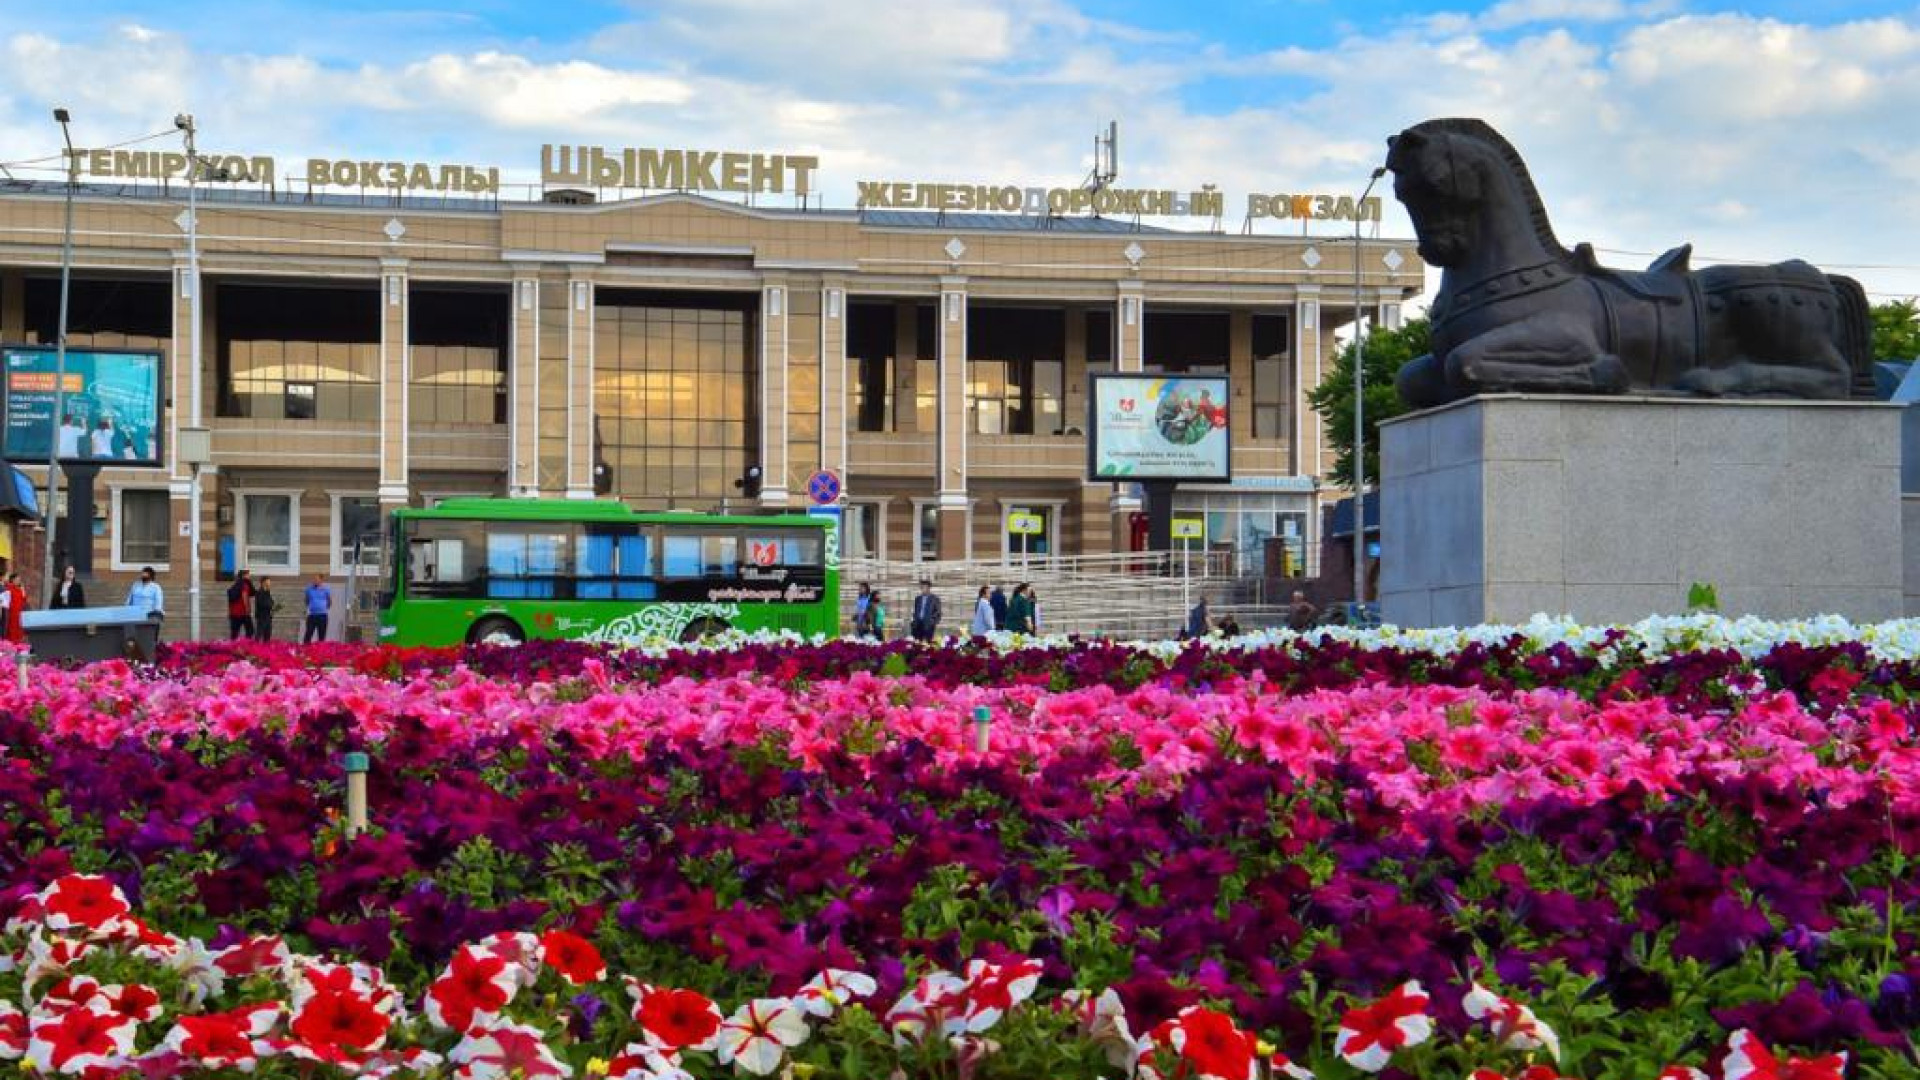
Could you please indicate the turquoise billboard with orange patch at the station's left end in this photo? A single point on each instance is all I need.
(110, 406)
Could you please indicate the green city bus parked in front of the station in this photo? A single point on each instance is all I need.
(477, 570)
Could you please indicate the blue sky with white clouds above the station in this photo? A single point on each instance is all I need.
(1771, 130)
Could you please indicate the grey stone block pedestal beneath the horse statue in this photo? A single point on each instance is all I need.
(1608, 510)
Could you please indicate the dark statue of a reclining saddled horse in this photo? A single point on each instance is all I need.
(1520, 312)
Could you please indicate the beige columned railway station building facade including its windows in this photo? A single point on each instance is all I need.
(364, 355)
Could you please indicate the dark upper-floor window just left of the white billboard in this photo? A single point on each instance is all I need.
(1017, 370)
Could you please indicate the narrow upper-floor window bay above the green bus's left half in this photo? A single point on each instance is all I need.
(460, 356)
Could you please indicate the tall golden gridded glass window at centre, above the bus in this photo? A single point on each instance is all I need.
(673, 391)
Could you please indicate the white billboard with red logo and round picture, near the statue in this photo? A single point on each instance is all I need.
(1159, 428)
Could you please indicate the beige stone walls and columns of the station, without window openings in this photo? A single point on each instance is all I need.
(804, 270)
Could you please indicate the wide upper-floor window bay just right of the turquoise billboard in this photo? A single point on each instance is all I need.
(293, 353)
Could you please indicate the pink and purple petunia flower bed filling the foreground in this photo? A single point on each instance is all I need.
(1650, 850)
